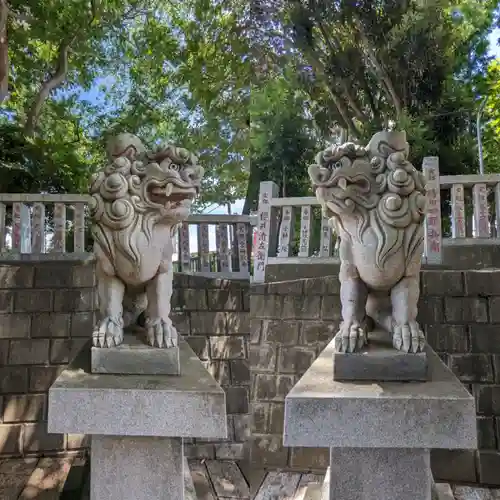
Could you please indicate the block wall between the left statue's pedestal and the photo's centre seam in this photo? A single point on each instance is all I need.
(214, 316)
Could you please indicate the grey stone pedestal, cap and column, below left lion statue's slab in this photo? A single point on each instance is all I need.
(137, 424)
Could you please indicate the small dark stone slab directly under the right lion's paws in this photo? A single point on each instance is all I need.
(379, 361)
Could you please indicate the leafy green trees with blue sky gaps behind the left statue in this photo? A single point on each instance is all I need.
(172, 71)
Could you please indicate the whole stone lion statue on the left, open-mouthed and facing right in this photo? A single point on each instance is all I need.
(138, 200)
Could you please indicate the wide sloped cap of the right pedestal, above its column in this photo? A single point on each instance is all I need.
(322, 412)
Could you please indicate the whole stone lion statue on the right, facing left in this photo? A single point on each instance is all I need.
(375, 200)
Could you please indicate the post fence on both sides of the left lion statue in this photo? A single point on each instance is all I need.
(55, 227)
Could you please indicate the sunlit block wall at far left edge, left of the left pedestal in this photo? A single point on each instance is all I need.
(46, 316)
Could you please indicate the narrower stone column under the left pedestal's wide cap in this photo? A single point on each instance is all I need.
(141, 468)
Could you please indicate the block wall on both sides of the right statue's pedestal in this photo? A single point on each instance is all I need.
(292, 321)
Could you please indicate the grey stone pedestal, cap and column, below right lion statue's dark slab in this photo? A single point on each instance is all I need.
(379, 433)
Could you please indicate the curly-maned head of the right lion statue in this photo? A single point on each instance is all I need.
(379, 188)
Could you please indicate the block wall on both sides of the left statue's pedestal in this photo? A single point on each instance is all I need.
(47, 312)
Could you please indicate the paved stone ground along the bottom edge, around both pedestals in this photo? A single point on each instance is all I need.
(51, 479)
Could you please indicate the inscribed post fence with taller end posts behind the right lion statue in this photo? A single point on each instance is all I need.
(459, 209)
